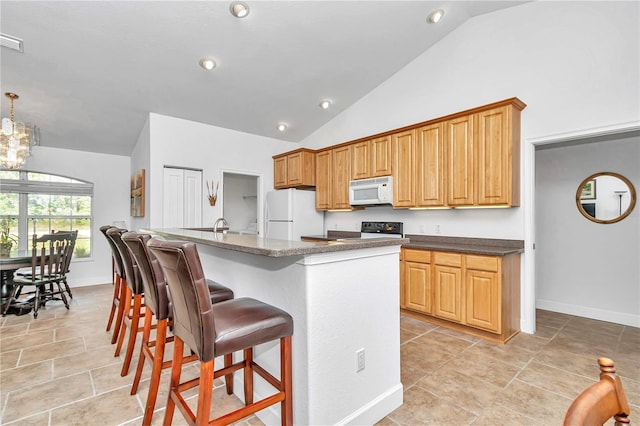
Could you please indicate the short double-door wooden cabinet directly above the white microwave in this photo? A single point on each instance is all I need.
(371, 158)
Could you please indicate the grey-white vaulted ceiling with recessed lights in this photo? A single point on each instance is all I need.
(91, 71)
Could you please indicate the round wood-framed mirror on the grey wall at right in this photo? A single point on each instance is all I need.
(606, 197)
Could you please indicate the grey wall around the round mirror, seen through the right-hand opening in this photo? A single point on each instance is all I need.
(582, 267)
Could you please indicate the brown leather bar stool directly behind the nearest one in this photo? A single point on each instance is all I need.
(157, 303)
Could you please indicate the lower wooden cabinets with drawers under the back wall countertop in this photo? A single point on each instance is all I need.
(472, 293)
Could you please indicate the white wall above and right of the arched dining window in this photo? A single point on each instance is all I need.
(110, 177)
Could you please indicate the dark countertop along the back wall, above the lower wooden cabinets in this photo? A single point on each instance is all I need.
(488, 246)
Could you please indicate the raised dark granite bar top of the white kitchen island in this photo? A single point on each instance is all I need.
(271, 247)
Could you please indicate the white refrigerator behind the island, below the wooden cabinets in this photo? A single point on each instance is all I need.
(291, 213)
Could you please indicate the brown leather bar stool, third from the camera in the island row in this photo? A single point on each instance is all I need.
(132, 301)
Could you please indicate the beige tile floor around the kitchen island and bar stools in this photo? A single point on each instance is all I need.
(60, 370)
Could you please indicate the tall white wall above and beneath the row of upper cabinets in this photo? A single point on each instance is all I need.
(575, 64)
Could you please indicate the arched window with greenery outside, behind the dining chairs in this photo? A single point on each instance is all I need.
(41, 203)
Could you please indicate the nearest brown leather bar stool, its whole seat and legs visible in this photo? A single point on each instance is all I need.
(212, 330)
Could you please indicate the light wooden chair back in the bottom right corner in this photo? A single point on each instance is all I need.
(600, 401)
